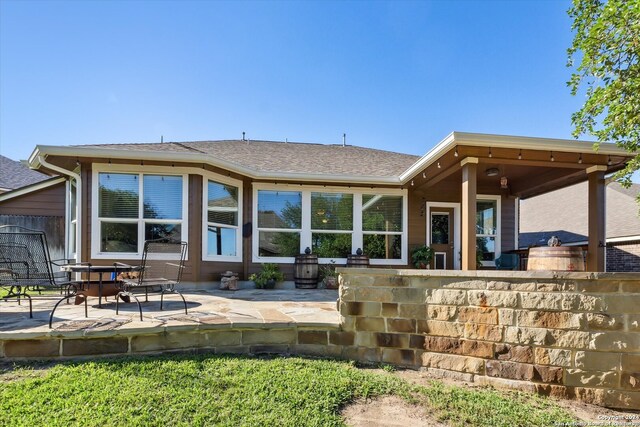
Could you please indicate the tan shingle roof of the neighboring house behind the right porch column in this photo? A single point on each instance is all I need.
(564, 213)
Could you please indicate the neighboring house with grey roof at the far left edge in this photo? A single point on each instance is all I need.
(34, 200)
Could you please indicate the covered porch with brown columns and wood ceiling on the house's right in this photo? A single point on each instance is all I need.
(473, 183)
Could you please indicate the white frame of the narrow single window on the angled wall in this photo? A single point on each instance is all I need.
(205, 218)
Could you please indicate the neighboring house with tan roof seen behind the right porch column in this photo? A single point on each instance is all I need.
(563, 213)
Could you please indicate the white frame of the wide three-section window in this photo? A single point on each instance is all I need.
(305, 231)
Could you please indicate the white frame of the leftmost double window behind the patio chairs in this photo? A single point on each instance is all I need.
(99, 168)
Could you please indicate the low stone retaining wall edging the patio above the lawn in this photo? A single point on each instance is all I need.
(293, 339)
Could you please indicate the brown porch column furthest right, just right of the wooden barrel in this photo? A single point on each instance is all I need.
(597, 234)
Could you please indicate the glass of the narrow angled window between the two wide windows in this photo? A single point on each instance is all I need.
(222, 218)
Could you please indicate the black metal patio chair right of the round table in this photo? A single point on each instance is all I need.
(160, 271)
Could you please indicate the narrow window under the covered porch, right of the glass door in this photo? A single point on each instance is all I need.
(487, 229)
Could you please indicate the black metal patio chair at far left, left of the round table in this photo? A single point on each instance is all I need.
(25, 253)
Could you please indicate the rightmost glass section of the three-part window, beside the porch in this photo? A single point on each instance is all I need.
(382, 226)
